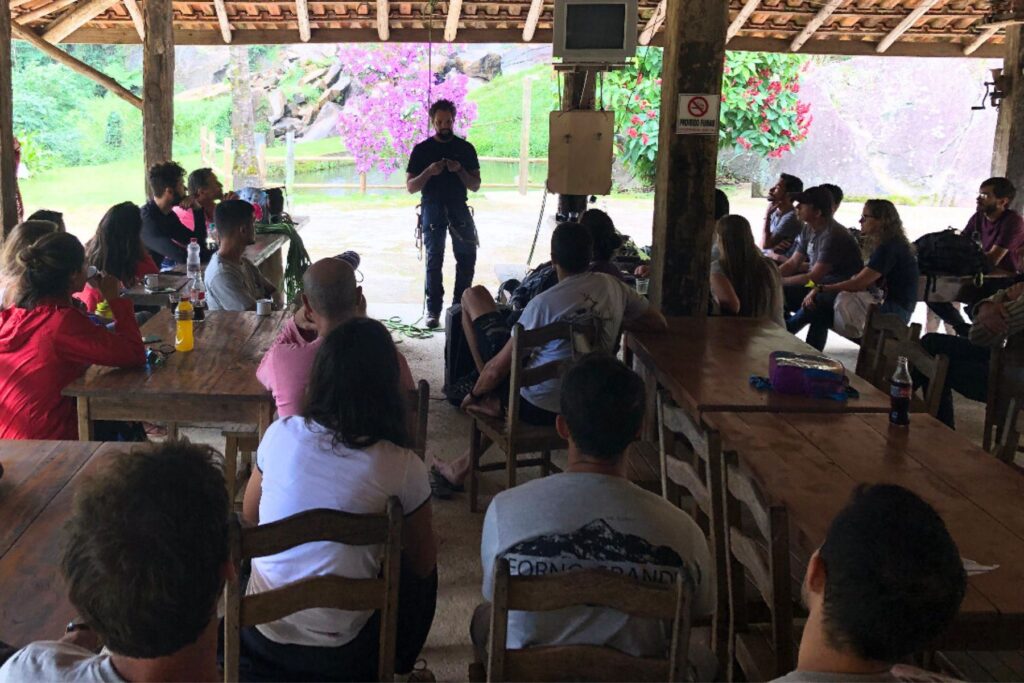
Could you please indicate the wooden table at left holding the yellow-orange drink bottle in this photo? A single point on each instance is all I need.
(217, 382)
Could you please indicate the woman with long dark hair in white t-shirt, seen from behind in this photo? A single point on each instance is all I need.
(346, 452)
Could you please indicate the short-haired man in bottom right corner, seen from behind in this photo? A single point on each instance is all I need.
(885, 585)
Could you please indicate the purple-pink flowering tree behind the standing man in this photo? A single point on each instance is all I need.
(393, 91)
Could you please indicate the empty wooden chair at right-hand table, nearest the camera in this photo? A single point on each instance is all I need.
(763, 651)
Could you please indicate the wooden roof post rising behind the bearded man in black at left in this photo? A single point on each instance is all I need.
(158, 82)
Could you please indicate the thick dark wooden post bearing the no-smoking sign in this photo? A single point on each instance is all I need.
(685, 191)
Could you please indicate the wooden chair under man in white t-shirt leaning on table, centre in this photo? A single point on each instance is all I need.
(511, 436)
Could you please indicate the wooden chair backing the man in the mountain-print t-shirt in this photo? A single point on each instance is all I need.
(596, 588)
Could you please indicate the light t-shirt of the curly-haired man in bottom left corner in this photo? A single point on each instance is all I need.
(52, 661)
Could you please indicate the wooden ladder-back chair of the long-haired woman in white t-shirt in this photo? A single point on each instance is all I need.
(380, 593)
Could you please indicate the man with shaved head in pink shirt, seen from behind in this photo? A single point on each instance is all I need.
(330, 297)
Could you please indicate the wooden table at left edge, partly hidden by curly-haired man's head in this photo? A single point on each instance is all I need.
(36, 493)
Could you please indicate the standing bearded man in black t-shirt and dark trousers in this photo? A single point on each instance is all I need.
(444, 167)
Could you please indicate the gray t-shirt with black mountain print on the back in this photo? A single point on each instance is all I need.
(584, 521)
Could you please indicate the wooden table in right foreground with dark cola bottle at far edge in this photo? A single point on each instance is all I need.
(813, 465)
